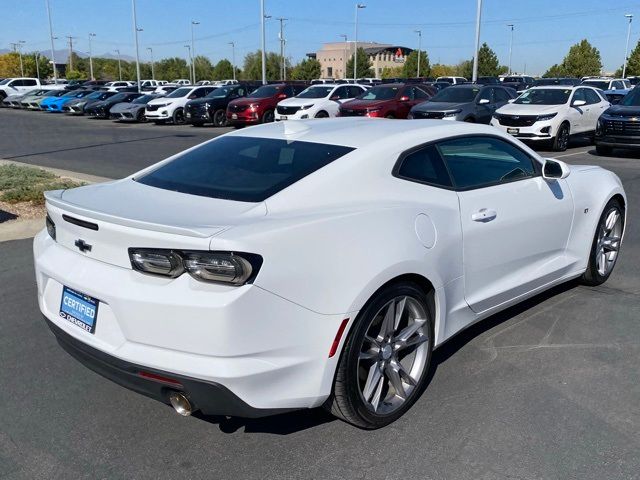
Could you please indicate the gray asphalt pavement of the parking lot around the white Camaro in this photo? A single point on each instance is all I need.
(549, 389)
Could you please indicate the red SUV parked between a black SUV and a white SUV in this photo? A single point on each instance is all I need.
(259, 106)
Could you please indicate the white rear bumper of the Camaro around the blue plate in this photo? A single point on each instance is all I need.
(268, 351)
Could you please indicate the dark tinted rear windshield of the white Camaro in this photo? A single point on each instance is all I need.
(244, 169)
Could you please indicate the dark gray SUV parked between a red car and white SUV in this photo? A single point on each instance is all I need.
(467, 103)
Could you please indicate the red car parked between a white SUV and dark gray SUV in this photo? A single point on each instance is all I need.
(392, 100)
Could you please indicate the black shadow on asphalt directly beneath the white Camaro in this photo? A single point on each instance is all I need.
(299, 420)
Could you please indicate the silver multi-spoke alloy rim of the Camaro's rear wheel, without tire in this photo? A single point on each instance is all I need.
(393, 355)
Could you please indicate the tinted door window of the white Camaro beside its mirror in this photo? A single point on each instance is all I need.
(476, 162)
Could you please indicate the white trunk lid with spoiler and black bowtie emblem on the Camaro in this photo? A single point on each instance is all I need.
(113, 217)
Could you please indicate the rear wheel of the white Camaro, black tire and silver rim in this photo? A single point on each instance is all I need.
(385, 361)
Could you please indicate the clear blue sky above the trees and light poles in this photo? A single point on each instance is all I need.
(544, 29)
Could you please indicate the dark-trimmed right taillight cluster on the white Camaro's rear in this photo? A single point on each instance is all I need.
(230, 268)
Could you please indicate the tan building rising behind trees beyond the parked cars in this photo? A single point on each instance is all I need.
(333, 57)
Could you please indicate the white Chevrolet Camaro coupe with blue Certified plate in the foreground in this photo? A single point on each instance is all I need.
(304, 264)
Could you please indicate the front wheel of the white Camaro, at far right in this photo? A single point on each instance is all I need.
(606, 244)
